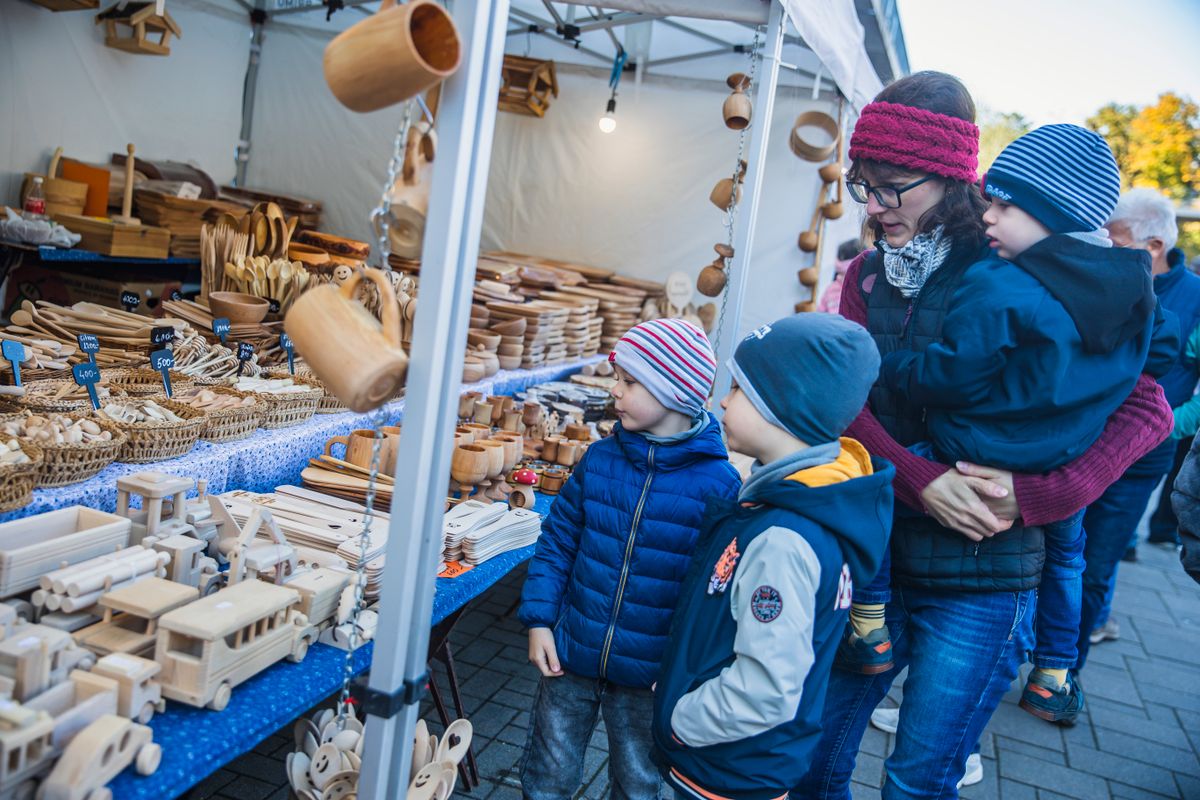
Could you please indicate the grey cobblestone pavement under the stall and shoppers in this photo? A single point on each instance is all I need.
(1141, 737)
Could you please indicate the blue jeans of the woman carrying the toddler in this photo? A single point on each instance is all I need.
(963, 652)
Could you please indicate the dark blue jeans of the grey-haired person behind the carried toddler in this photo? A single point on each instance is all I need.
(1109, 522)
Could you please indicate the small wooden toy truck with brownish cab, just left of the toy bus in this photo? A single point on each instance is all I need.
(131, 617)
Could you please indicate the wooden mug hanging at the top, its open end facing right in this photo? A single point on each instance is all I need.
(393, 56)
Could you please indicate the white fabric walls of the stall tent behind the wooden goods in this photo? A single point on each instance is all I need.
(635, 201)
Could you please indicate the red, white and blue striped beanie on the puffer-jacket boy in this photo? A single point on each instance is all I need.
(673, 359)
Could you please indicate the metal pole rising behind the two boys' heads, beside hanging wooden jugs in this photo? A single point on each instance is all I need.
(748, 214)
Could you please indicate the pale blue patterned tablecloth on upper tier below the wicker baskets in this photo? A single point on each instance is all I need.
(268, 459)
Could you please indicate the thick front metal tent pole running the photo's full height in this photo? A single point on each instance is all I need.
(466, 124)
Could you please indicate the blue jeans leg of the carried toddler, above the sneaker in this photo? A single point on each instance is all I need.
(1060, 597)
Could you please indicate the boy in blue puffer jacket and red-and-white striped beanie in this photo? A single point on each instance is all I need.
(611, 558)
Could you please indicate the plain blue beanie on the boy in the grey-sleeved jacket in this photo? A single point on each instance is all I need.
(808, 375)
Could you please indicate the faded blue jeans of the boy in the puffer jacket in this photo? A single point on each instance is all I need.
(565, 714)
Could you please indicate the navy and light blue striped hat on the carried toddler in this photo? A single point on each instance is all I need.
(1063, 176)
